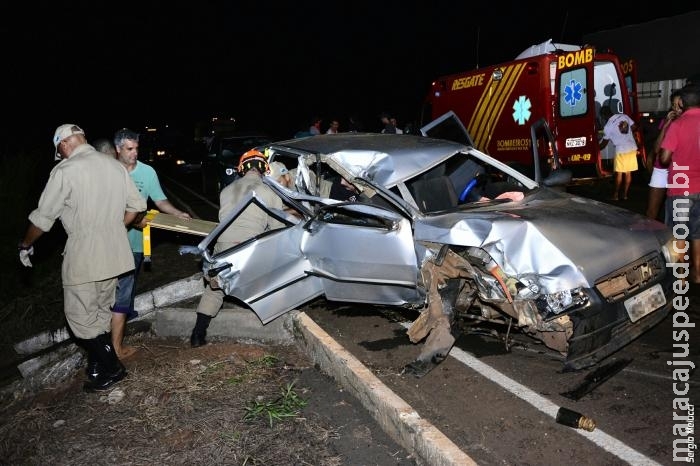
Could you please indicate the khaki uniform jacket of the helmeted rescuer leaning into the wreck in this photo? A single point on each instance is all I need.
(253, 220)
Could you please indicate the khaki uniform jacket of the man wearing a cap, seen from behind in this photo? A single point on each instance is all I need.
(90, 192)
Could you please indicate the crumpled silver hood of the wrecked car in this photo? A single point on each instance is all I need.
(567, 241)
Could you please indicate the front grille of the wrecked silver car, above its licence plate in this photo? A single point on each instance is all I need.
(631, 278)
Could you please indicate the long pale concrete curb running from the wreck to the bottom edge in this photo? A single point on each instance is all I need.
(394, 415)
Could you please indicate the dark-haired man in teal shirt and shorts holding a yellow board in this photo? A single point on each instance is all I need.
(146, 180)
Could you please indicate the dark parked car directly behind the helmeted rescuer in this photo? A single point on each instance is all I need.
(221, 166)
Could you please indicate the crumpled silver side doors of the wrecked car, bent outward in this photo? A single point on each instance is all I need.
(279, 270)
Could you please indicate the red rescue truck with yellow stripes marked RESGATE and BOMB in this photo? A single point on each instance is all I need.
(566, 86)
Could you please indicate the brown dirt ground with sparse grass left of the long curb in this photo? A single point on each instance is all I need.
(183, 405)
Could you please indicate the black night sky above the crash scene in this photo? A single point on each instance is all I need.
(272, 65)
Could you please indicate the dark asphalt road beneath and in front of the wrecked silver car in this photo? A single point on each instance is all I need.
(498, 402)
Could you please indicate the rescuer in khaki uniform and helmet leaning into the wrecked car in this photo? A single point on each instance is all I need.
(252, 221)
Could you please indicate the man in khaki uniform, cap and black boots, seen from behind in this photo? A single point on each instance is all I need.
(94, 197)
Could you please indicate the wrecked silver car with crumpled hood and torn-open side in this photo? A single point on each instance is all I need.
(442, 228)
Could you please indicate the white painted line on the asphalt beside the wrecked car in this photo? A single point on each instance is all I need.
(600, 438)
